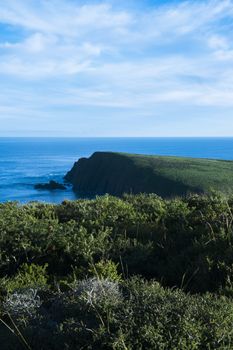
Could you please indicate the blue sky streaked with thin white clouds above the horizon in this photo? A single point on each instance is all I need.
(116, 68)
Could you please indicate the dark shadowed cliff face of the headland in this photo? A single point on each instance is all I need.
(116, 173)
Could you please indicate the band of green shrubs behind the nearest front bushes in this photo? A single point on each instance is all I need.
(182, 242)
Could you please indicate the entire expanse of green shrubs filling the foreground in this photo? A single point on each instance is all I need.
(138, 272)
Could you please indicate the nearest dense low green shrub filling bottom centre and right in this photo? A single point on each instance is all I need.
(134, 315)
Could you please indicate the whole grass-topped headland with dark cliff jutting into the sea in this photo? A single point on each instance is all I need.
(118, 173)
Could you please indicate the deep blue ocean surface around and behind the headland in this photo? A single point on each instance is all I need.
(27, 161)
